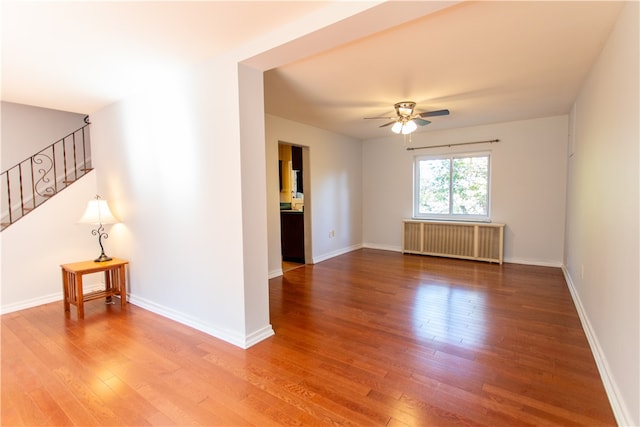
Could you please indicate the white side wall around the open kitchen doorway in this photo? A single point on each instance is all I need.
(335, 188)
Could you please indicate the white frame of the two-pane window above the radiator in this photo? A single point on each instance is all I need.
(450, 216)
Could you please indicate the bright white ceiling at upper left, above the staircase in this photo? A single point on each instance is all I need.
(83, 55)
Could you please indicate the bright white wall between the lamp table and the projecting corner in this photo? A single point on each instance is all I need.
(170, 162)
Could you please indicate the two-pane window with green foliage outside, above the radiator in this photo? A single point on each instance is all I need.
(452, 186)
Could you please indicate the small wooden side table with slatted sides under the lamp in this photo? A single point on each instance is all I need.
(114, 278)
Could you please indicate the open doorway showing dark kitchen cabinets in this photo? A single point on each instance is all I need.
(294, 205)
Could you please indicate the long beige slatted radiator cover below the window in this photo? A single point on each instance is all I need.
(467, 240)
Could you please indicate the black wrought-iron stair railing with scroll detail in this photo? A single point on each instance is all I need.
(36, 179)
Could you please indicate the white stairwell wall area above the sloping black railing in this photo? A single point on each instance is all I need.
(27, 130)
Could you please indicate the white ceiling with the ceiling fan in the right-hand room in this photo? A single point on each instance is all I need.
(486, 62)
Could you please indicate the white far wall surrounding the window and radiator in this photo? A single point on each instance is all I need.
(528, 172)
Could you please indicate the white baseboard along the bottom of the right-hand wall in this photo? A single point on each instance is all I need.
(620, 411)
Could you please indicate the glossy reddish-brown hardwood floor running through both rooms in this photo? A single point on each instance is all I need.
(367, 338)
